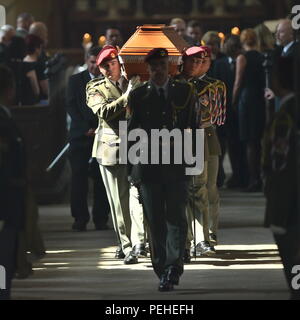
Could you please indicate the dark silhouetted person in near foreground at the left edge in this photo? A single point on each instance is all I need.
(12, 182)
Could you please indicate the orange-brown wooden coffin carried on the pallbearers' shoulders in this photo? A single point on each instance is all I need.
(146, 38)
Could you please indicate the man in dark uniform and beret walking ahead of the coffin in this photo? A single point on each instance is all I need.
(163, 103)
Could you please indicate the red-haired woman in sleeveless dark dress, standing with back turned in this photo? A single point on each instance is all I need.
(248, 95)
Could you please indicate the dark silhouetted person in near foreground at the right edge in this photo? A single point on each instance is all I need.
(279, 166)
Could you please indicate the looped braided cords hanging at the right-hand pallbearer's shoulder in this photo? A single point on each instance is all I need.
(213, 99)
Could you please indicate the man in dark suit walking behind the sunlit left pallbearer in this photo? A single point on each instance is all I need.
(82, 132)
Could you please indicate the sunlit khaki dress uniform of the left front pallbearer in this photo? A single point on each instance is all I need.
(107, 101)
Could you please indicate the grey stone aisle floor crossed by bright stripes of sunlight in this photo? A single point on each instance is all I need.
(81, 266)
